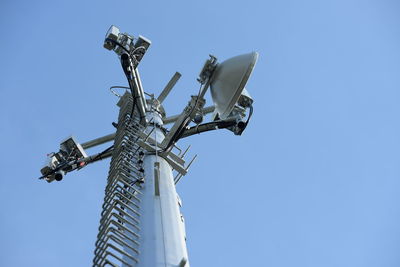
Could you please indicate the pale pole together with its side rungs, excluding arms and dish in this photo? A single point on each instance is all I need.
(141, 224)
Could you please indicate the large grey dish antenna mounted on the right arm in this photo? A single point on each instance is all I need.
(228, 82)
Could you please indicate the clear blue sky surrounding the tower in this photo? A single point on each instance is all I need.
(315, 179)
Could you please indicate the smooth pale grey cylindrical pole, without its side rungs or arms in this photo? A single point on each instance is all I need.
(162, 241)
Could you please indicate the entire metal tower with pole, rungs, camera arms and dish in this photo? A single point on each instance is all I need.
(141, 223)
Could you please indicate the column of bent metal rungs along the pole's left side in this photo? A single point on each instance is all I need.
(119, 232)
